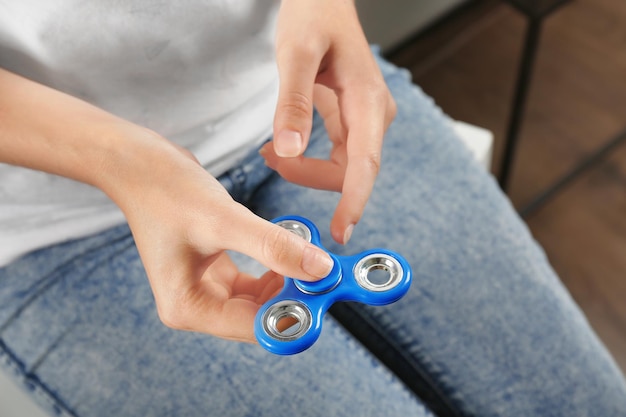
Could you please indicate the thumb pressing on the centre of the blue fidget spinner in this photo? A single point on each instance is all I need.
(279, 249)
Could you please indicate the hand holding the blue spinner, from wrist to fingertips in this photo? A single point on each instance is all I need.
(183, 220)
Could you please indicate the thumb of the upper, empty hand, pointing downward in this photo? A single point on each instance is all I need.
(294, 110)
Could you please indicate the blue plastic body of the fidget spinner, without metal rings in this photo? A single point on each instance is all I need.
(339, 285)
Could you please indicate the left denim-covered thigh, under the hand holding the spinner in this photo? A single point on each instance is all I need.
(86, 337)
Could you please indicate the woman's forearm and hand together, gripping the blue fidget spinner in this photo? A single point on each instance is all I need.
(182, 219)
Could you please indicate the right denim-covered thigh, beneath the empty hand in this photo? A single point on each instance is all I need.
(486, 320)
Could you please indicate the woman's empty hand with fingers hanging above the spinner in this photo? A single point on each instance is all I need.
(325, 61)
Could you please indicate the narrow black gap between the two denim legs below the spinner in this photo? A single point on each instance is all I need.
(406, 367)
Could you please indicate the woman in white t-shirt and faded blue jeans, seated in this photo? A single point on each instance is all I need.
(135, 142)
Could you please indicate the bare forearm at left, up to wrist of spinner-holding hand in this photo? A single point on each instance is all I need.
(47, 130)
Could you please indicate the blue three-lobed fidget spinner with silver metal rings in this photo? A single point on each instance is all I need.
(292, 321)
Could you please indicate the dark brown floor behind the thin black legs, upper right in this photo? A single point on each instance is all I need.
(577, 103)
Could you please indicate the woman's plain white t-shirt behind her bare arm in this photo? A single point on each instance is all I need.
(199, 72)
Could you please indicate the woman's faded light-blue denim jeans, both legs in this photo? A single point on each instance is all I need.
(487, 329)
